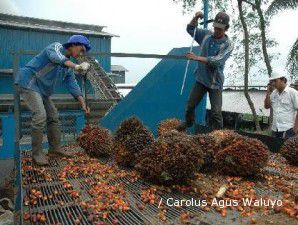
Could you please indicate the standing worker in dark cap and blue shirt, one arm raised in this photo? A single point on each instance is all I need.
(216, 48)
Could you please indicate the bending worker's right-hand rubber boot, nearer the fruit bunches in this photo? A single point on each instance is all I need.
(54, 139)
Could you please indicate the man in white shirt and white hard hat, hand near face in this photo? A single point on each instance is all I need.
(284, 103)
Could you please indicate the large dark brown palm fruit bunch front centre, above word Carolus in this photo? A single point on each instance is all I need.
(172, 159)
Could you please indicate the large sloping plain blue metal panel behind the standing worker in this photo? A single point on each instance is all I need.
(157, 95)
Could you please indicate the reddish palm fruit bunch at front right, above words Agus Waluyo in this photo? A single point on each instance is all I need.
(242, 157)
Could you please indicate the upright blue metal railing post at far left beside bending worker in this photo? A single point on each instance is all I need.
(17, 153)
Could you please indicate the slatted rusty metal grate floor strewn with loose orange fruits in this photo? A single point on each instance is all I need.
(62, 209)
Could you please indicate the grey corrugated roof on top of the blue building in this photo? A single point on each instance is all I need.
(22, 22)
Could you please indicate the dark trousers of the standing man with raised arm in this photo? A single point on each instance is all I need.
(197, 93)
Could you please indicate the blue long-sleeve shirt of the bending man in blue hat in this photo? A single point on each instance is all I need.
(47, 68)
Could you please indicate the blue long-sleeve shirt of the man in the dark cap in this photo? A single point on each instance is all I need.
(217, 51)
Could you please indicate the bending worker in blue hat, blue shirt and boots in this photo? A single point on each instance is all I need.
(36, 82)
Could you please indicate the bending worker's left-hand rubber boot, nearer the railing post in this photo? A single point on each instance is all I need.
(38, 156)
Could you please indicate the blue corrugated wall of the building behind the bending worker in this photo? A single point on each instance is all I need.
(14, 40)
